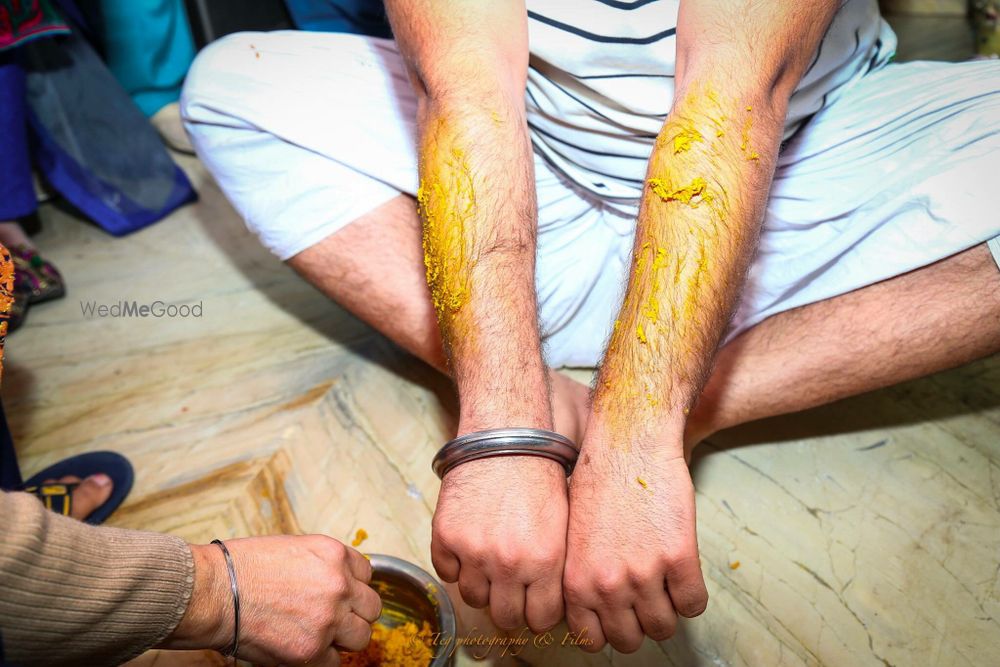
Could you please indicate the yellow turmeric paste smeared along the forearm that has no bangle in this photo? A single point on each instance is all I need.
(682, 222)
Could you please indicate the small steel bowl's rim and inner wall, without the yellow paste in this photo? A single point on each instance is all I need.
(410, 594)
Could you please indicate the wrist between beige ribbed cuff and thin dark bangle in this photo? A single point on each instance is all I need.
(208, 621)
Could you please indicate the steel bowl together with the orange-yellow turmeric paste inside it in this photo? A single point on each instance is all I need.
(417, 621)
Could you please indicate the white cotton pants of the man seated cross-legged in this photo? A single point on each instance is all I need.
(307, 132)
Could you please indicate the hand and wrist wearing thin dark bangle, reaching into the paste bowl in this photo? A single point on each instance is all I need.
(301, 599)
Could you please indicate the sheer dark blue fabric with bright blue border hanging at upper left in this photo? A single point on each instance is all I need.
(90, 141)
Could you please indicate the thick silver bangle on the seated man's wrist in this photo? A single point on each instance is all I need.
(506, 442)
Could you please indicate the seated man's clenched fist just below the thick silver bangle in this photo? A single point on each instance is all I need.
(500, 531)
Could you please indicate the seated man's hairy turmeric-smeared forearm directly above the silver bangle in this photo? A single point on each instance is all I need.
(477, 204)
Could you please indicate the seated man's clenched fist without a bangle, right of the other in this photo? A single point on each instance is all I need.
(632, 554)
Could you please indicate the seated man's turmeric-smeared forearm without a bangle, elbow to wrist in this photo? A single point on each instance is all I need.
(705, 194)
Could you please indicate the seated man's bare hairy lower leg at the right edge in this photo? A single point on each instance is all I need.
(938, 317)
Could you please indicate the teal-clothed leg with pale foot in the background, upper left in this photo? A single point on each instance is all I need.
(147, 45)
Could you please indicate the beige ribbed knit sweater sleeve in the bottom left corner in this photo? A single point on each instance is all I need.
(73, 594)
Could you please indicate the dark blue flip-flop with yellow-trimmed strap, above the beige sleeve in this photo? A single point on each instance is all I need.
(57, 496)
